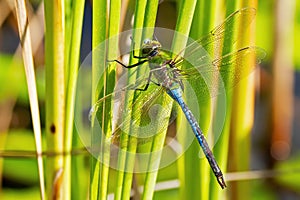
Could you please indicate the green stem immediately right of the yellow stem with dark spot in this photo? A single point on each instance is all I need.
(74, 30)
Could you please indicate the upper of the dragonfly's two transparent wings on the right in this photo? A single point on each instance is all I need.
(211, 45)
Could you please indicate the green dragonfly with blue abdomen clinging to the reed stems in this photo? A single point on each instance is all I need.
(168, 76)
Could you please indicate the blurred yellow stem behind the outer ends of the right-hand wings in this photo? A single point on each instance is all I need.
(242, 114)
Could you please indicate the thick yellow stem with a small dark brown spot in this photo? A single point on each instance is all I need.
(55, 96)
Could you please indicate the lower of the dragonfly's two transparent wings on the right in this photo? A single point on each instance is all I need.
(223, 73)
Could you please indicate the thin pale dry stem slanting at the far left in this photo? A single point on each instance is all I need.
(24, 32)
